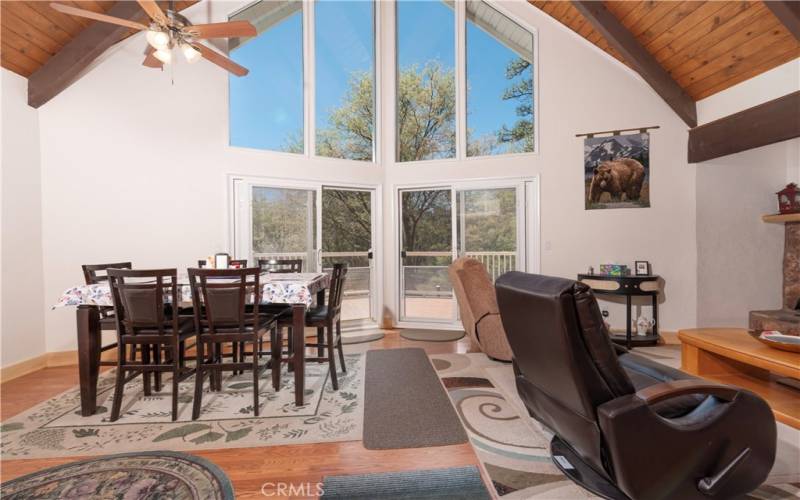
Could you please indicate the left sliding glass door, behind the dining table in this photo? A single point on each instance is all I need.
(319, 224)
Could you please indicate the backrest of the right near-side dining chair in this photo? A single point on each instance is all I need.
(220, 298)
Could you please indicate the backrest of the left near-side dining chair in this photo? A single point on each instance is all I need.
(139, 298)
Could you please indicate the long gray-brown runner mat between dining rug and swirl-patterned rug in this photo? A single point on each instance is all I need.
(405, 405)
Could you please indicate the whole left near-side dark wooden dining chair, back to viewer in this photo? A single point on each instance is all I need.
(146, 319)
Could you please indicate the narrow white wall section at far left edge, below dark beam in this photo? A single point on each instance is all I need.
(21, 272)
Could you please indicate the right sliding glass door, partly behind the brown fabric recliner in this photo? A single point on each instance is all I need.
(438, 224)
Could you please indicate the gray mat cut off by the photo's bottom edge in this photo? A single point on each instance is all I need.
(454, 483)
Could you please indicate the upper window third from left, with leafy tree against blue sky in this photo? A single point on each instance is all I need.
(426, 87)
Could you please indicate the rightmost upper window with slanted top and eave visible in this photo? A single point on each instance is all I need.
(499, 83)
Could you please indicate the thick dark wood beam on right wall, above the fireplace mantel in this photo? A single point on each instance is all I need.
(768, 123)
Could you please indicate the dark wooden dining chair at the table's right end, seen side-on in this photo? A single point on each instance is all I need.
(324, 317)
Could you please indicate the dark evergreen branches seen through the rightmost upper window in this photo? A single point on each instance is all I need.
(520, 136)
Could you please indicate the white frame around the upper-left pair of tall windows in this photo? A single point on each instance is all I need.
(309, 89)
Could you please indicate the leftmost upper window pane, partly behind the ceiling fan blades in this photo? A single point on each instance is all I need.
(266, 106)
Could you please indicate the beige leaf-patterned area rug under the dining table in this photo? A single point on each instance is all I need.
(55, 427)
